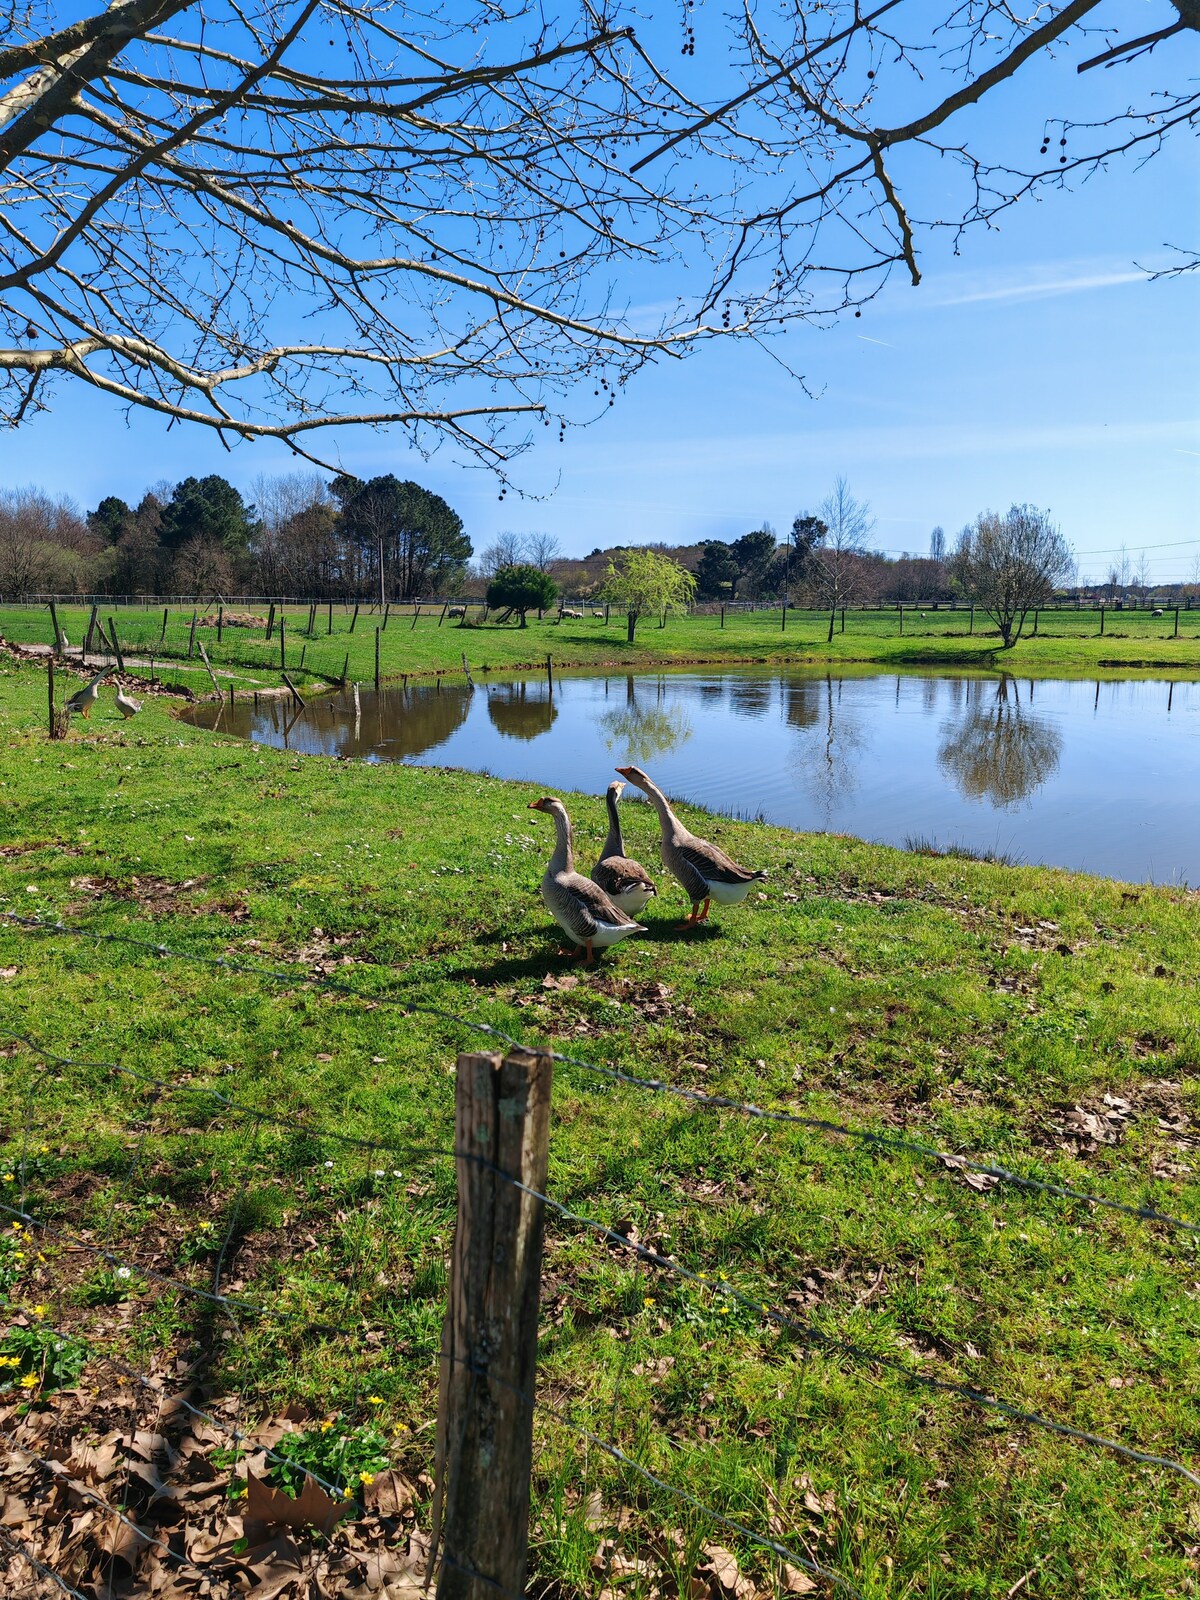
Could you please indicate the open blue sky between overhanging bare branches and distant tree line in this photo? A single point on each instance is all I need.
(1039, 366)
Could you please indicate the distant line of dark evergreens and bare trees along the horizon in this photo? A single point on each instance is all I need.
(310, 537)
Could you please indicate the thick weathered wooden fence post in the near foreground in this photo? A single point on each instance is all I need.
(490, 1335)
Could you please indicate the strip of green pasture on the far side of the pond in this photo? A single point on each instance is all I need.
(1066, 646)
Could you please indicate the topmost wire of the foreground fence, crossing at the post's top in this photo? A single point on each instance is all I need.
(882, 1142)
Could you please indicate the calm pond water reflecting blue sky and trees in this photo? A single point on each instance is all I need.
(1102, 777)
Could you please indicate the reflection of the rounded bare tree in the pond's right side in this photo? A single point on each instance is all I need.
(1001, 753)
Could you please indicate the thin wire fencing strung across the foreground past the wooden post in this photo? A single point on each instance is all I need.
(98, 1242)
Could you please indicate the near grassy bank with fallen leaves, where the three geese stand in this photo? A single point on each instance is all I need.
(962, 1002)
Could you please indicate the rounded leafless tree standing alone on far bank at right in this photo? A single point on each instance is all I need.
(1012, 564)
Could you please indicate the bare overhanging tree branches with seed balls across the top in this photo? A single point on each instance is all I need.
(329, 212)
